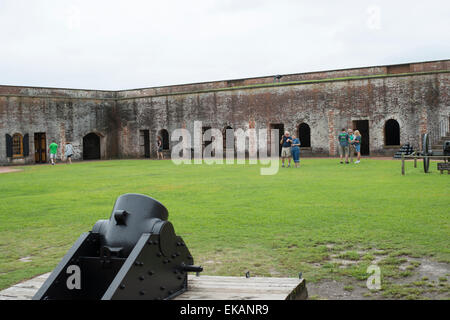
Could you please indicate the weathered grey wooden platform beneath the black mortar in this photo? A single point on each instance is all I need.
(201, 288)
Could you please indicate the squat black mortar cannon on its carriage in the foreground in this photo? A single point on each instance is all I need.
(133, 255)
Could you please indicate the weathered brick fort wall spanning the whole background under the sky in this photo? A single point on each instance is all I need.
(417, 100)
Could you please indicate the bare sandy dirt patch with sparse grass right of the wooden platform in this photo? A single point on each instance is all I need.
(402, 276)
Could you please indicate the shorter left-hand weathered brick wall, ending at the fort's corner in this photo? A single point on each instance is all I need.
(61, 119)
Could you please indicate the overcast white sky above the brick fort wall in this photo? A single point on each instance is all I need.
(99, 44)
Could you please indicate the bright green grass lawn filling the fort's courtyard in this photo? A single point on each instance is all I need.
(233, 219)
